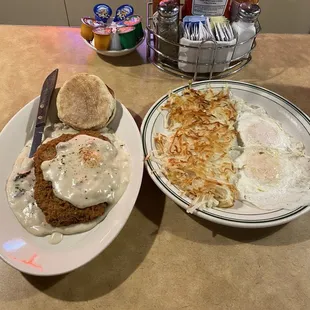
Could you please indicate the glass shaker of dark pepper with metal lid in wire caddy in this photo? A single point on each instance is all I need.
(168, 28)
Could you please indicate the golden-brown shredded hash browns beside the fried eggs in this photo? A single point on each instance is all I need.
(195, 157)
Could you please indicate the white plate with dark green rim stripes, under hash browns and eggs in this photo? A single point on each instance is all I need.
(294, 121)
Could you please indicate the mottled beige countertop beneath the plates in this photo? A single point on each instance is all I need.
(163, 258)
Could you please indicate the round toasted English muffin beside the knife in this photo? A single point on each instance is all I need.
(85, 102)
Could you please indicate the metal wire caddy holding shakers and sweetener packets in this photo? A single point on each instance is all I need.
(172, 65)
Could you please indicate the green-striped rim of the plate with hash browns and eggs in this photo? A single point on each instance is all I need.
(213, 218)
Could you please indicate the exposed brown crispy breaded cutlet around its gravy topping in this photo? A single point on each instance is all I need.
(59, 212)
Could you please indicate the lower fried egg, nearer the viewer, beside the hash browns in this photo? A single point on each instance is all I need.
(273, 179)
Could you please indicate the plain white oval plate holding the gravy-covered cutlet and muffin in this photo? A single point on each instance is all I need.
(34, 255)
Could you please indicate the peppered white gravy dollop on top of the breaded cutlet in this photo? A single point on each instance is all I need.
(85, 172)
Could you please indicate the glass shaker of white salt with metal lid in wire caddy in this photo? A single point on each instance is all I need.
(244, 29)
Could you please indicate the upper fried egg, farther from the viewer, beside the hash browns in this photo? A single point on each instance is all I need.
(257, 128)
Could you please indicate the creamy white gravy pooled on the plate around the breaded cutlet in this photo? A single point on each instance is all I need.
(20, 189)
